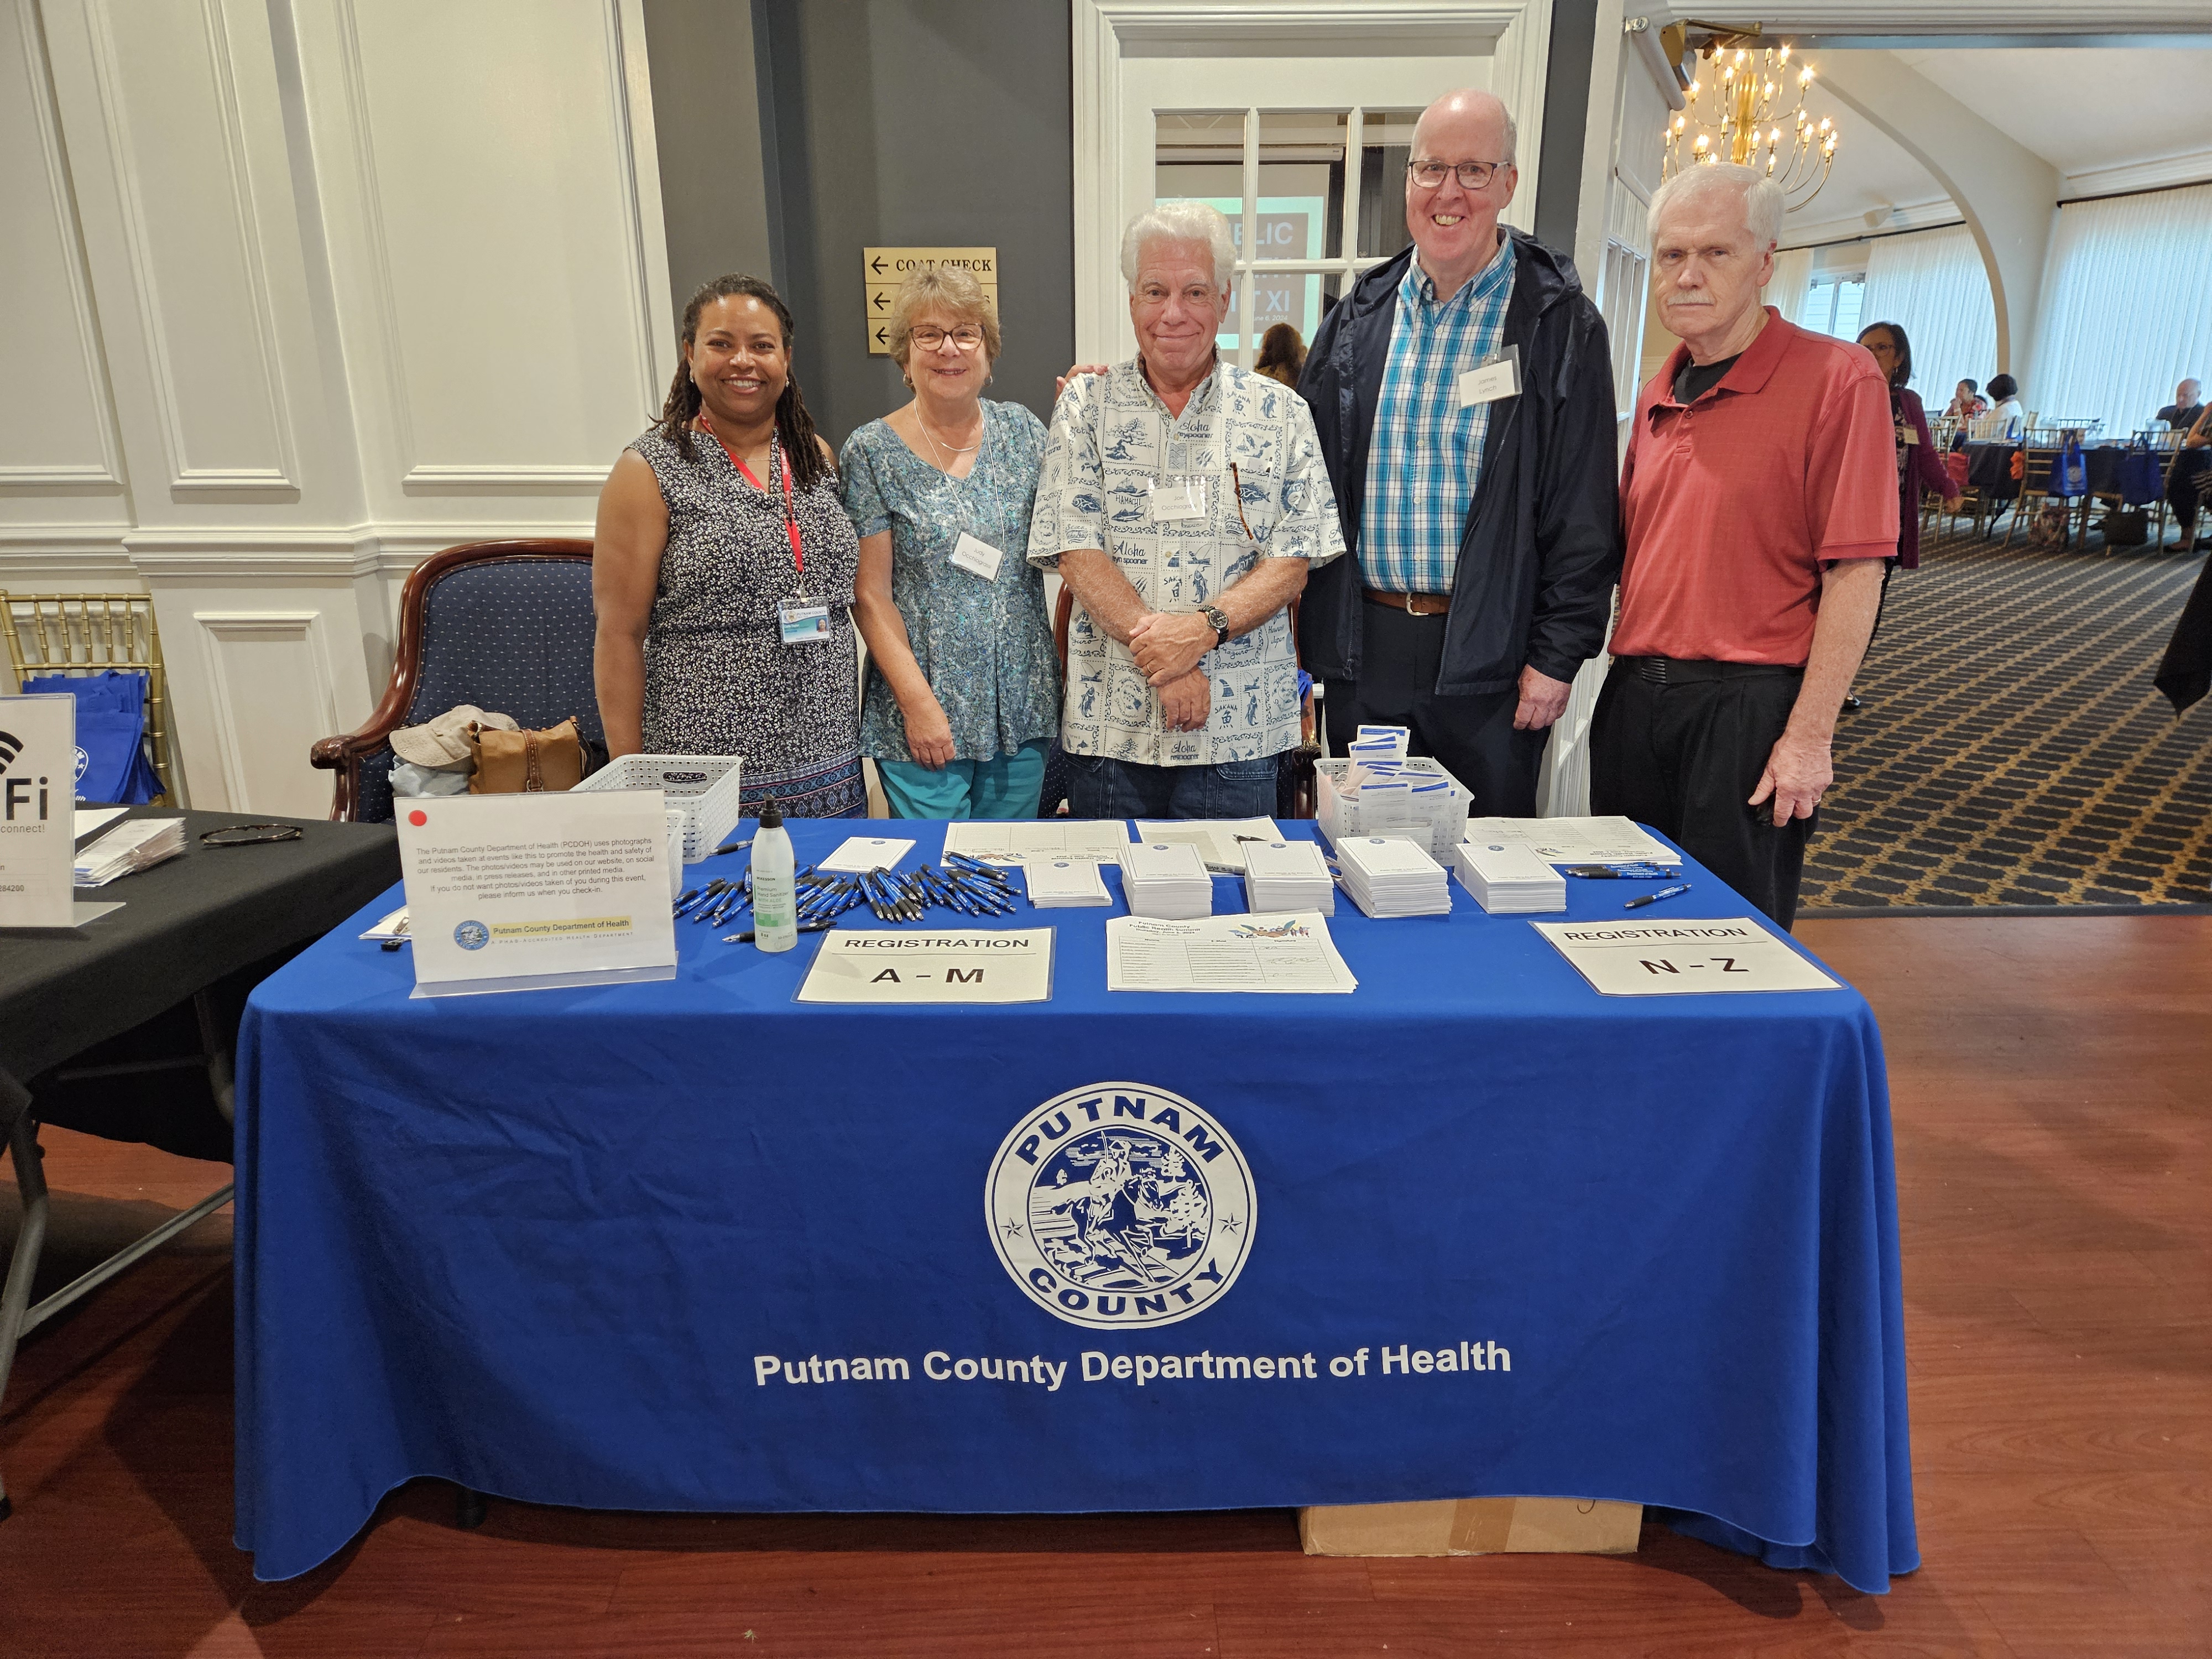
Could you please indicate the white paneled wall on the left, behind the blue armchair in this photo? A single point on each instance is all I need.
(298, 293)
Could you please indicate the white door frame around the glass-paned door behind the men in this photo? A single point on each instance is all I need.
(1516, 34)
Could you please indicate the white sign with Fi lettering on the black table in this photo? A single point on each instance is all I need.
(39, 820)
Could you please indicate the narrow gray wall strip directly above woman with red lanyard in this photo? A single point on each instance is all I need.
(707, 114)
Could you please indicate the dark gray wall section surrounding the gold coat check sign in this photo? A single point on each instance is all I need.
(921, 123)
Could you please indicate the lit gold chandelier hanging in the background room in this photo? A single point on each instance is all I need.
(1735, 114)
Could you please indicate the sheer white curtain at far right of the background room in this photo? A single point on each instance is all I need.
(2129, 311)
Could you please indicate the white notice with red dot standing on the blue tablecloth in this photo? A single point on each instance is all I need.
(528, 893)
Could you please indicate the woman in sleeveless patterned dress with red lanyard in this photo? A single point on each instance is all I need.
(724, 567)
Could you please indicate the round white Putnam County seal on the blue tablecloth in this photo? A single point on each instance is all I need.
(1120, 1207)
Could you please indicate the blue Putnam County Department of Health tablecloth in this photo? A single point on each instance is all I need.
(583, 1246)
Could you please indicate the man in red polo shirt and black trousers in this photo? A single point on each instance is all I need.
(1760, 503)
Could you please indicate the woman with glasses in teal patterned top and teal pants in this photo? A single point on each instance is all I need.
(963, 687)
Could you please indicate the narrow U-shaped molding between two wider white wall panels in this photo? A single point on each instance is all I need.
(244, 222)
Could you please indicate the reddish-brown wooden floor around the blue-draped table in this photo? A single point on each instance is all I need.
(2056, 1187)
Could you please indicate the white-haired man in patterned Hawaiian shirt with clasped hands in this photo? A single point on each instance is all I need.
(1182, 501)
